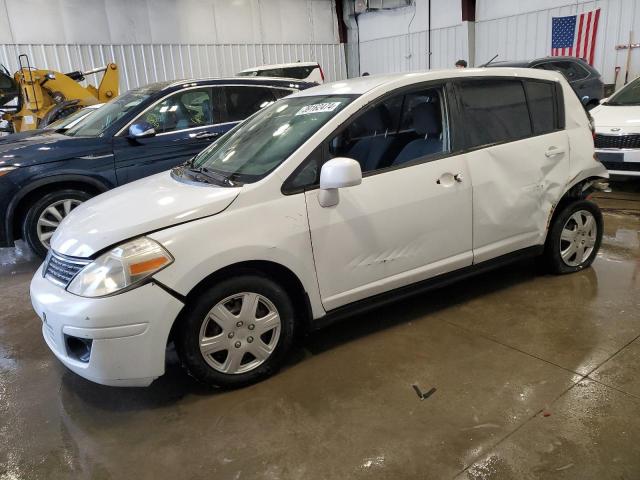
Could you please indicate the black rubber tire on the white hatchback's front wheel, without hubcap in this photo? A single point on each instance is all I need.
(187, 339)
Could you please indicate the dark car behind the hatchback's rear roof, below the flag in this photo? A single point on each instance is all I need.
(583, 78)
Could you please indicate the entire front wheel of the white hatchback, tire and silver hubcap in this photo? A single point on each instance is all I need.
(236, 332)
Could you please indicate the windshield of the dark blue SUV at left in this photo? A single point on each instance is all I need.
(96, 124)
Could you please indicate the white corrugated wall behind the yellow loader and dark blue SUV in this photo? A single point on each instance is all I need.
(142, 63)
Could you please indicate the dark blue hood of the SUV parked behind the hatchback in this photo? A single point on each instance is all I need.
(43, 147)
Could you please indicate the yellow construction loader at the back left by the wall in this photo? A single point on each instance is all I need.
(44, 96)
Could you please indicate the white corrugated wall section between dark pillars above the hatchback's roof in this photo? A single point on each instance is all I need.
(402, 53)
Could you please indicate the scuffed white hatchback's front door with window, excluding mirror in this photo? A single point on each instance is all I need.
(410, 219)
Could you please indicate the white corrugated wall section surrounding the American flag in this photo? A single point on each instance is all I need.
(528, 35)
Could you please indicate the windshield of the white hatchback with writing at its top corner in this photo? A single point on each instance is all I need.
(261, 143)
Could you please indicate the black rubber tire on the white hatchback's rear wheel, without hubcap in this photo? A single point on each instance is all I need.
(552, 253)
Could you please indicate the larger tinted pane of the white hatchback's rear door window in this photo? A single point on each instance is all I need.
(494, 111)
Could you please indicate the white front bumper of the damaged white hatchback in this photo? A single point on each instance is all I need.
(127, 332)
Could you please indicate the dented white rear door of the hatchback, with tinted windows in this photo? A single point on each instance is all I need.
(517, 158)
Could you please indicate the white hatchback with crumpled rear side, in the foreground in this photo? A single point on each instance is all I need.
(330, 200)
